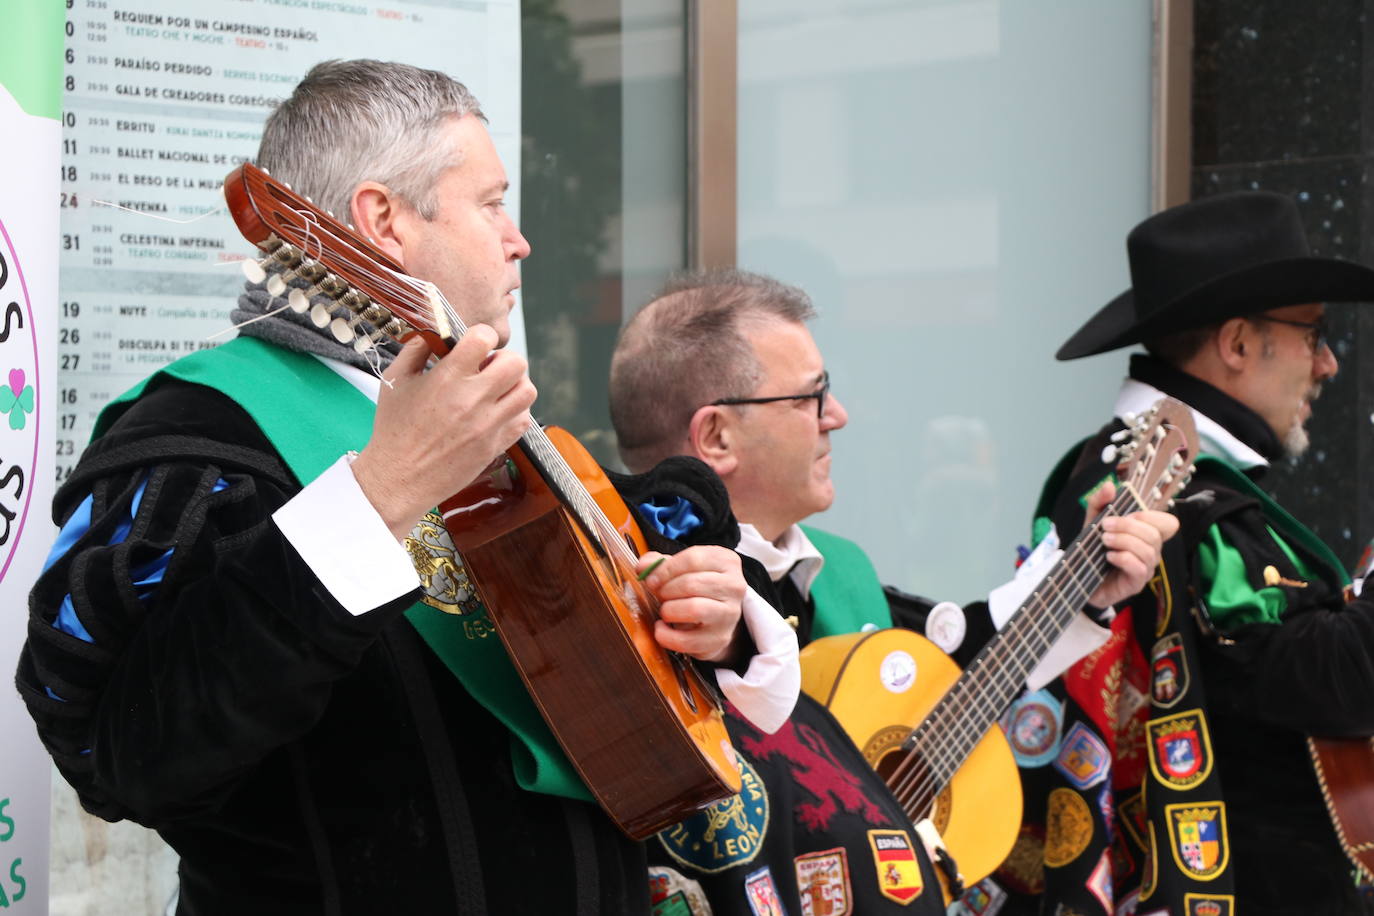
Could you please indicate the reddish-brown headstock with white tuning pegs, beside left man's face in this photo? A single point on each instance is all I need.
(366, 285)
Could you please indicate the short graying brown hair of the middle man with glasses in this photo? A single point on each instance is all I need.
(686, 350)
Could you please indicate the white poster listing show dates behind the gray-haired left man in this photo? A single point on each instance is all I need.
(163, 100)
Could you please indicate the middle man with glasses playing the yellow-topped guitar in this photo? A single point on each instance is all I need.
(721, 367)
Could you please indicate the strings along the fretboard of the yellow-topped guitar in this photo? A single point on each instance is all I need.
(967, 715)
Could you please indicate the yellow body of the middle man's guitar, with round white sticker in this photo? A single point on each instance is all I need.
(881, 686)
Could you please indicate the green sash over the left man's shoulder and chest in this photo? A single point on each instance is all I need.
(325, 418)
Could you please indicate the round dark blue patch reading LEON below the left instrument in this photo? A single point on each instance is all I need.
(728, 834)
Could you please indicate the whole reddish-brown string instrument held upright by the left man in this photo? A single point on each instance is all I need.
(546, 539)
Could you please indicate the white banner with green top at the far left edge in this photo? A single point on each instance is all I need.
(30, 100)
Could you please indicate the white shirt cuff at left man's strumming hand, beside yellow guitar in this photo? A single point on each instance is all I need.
(767, 691)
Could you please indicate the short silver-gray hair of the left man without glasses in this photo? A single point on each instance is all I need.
(354, 122)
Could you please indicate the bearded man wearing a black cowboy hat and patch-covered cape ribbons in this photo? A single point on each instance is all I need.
(1246, 643)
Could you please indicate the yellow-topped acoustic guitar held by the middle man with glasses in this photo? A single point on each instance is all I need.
(932, 731)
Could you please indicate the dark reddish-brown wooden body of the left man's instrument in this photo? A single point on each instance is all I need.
(581, 630)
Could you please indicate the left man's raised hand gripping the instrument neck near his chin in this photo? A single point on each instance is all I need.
(436, 431)
